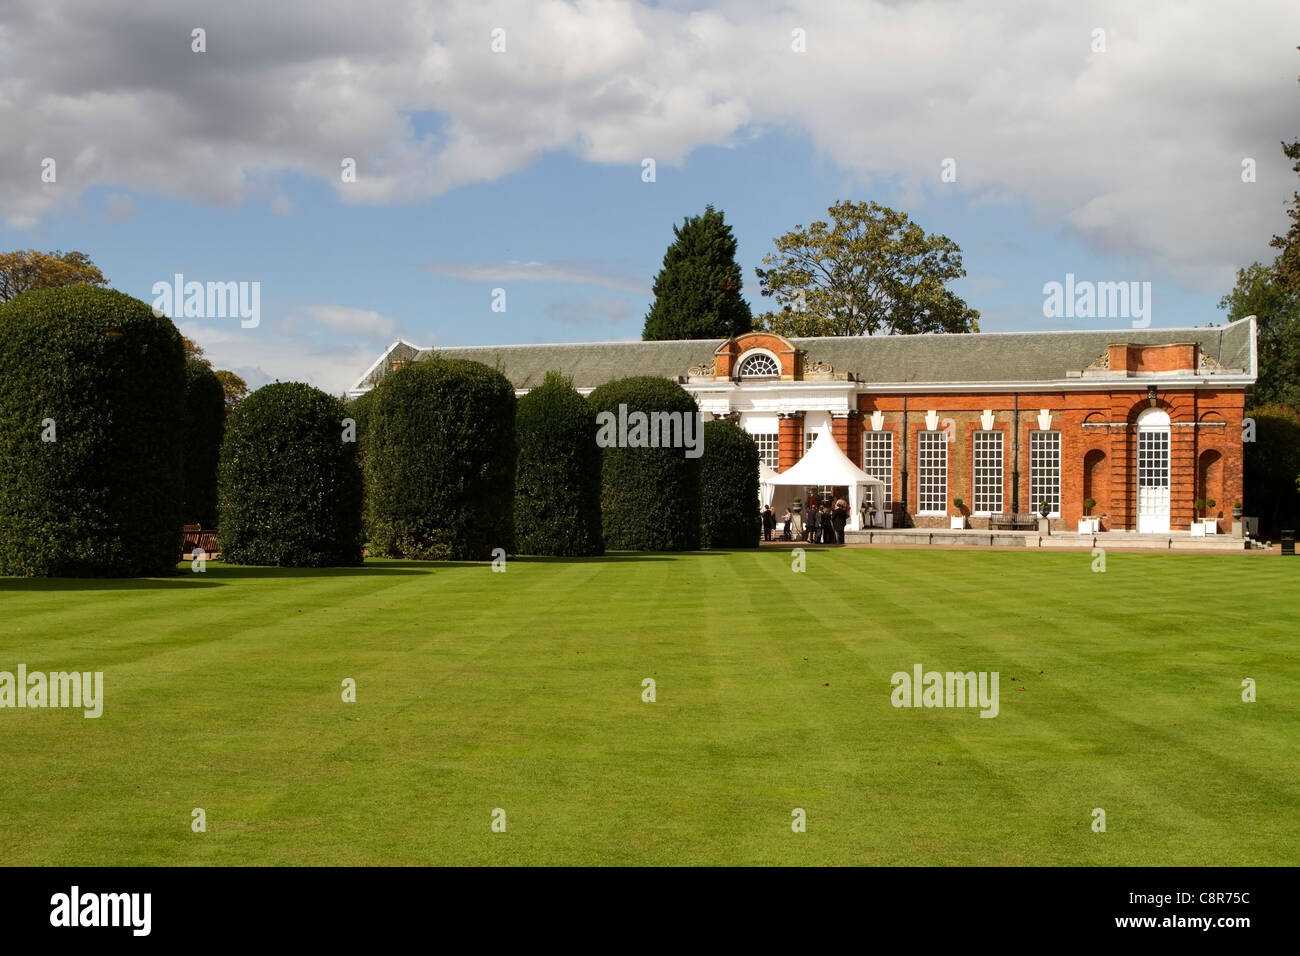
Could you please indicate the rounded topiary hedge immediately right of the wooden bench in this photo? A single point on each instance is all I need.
(289, 487)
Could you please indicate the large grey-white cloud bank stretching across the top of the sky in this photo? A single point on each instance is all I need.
(1137, 150)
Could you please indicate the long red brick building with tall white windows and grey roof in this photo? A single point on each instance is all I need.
(1145, 422)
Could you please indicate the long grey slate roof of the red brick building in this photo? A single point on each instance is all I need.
(977, 358)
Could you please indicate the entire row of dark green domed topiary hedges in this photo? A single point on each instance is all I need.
(110, 440)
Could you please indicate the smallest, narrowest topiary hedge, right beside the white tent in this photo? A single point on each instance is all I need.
(729, 488)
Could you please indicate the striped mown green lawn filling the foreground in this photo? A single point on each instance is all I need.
(523, 691)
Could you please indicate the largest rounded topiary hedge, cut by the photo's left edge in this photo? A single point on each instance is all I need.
(92, 423)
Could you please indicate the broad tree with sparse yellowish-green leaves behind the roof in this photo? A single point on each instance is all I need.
(870, 271)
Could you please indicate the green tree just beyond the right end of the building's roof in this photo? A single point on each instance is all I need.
(1279, 326)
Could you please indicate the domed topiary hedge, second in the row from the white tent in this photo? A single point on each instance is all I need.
(649, 496)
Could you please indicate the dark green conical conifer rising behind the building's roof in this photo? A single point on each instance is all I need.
(697, 292)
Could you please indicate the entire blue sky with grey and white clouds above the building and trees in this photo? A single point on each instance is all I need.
(522, 167)
